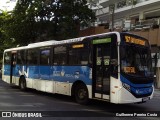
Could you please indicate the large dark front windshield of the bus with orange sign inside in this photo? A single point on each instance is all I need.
(136, 60)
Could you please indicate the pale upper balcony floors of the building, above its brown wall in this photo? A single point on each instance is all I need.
(123, 12)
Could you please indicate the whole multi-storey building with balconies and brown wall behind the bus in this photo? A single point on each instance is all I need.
(140, 17)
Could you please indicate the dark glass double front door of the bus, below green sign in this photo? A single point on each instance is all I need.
(101, 71)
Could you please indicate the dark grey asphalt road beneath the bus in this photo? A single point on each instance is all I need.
(32, 103)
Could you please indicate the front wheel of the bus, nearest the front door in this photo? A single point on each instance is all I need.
(81, 94)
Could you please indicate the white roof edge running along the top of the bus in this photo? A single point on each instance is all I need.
(55, 42)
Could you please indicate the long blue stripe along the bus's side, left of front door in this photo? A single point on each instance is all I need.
(58, 73)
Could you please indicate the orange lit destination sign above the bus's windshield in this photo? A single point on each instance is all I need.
(133, 40)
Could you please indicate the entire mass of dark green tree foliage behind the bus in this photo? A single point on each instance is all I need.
(40, 20)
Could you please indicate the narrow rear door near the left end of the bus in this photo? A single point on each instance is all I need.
(13, 65)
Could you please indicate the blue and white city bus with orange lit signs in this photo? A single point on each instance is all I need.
(114, 67)
